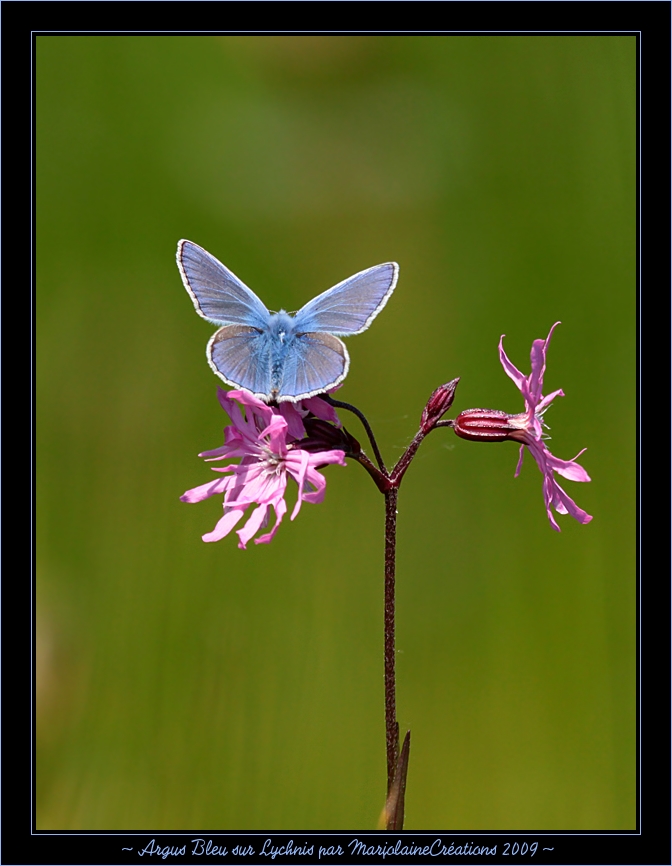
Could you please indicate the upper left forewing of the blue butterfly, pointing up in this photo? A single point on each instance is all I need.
(218, 294)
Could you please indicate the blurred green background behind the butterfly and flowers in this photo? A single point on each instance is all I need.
(183, 685)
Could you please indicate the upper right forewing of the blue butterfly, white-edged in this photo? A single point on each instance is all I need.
(349, 307)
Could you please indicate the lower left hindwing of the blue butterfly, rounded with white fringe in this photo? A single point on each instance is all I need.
(241, 356)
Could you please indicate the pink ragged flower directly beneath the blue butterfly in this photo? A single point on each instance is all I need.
(262, 439)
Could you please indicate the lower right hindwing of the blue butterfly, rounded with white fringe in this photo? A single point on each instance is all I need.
(315, 363)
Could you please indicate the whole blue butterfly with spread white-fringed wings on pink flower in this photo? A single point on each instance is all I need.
(279, 356)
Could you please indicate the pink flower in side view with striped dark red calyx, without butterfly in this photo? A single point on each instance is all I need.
(527, 428)
